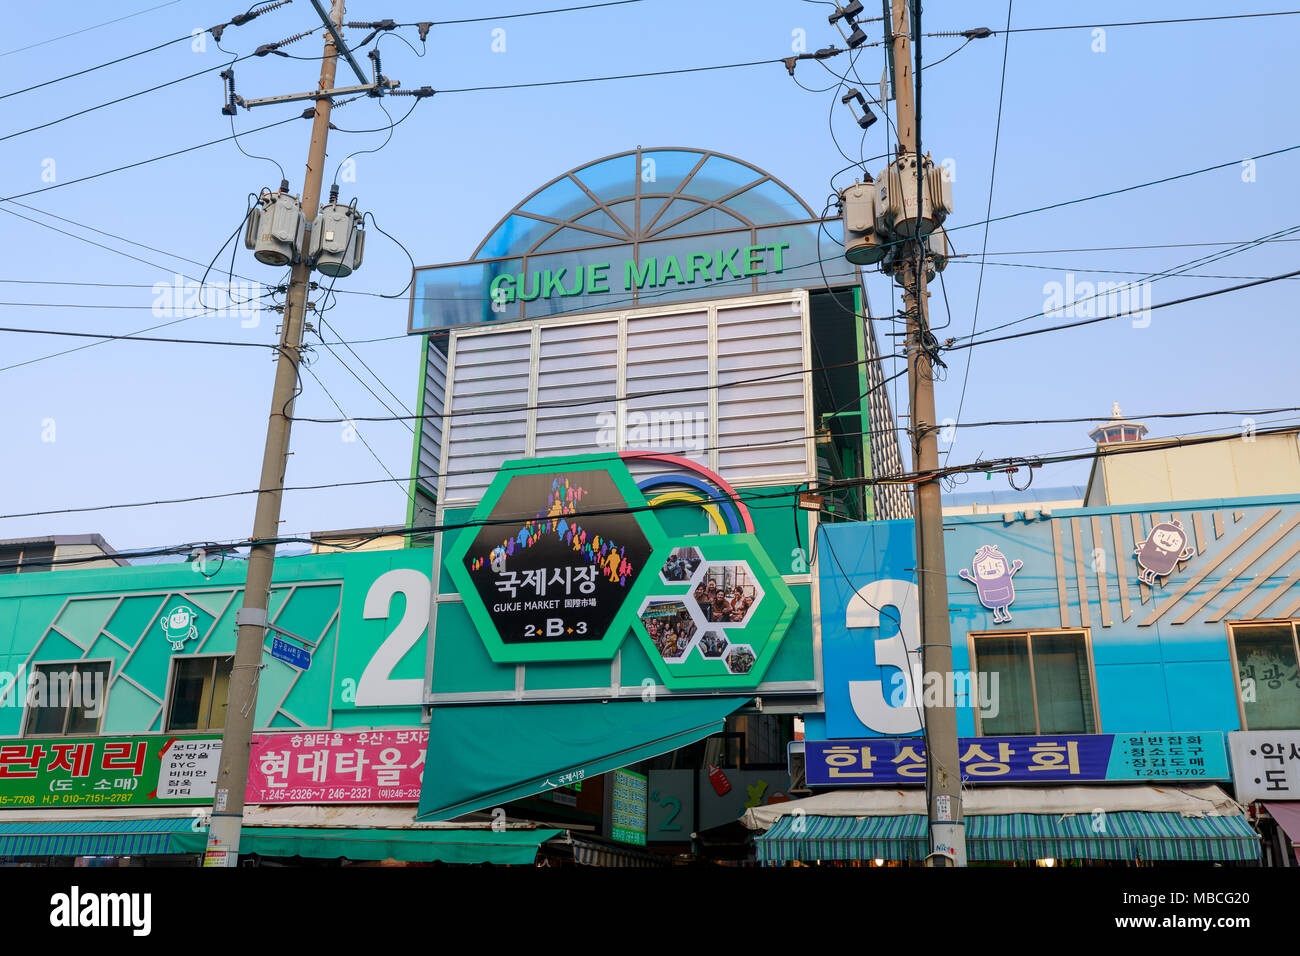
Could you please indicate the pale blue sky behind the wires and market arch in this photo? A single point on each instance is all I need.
(135, 422)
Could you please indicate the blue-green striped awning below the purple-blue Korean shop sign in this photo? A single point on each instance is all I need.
(1015, 837)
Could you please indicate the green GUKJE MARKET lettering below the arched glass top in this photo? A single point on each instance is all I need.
(739, 262)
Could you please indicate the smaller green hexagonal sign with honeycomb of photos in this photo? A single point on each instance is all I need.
(716, 615)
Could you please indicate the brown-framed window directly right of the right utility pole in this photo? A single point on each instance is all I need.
(1033, 684)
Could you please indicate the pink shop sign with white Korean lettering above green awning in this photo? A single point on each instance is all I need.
(333, 768)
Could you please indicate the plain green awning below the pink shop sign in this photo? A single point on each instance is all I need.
(484, 846)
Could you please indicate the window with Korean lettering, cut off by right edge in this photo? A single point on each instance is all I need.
(1268, 674)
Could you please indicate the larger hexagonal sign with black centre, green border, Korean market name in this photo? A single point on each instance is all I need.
(561, 547)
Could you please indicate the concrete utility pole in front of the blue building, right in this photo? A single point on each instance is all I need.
(943, 769)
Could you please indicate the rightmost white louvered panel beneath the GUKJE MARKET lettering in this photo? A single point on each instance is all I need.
(762, 426)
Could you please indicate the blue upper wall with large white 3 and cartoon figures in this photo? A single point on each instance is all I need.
(1133, 637)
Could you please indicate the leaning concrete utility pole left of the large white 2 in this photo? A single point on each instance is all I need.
(237, 738)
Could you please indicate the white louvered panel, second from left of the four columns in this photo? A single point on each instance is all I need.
(577, 387)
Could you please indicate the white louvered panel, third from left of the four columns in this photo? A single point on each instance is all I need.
(668, 387)
